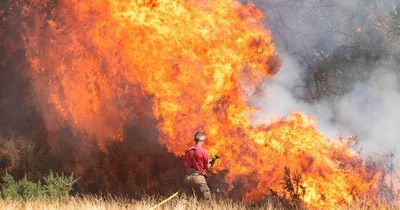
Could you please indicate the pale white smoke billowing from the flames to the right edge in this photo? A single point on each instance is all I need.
(369, 110)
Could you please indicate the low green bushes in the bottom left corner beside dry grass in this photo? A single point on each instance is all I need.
(55, 187)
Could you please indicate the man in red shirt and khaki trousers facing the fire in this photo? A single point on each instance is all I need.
(197, 164)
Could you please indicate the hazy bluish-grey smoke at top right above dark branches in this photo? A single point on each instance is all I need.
(303, 27)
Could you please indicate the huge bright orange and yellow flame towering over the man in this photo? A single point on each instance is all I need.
(200, 61)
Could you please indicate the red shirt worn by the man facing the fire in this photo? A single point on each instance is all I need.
(196, 158)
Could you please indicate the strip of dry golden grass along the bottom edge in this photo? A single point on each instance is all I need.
(96, 203)
